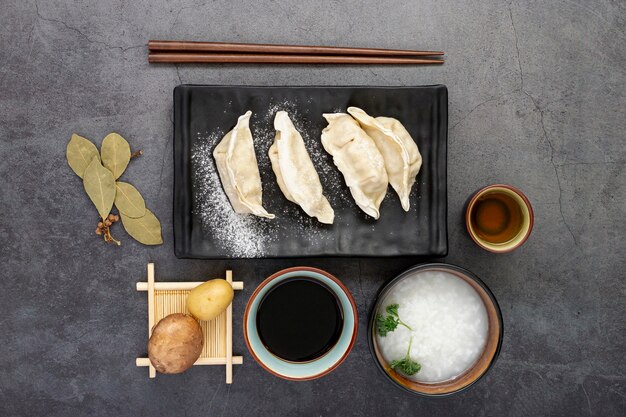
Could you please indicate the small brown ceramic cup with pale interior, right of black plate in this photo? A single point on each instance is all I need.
(527, 218)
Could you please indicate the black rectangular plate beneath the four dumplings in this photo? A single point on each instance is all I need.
(206, 227)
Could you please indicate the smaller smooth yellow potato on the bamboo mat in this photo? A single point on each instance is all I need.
(209, 299)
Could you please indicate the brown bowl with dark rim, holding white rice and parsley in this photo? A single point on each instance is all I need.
(471, 375)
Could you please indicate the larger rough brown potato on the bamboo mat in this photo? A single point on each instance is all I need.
(175, 344)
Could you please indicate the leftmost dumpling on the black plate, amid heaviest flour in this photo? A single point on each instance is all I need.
(238, 169)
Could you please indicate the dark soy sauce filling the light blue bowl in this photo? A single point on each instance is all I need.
(299, 320)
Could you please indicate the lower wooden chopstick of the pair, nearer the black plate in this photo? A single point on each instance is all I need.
(191, 58)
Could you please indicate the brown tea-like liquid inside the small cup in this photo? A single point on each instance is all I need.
(496, 217)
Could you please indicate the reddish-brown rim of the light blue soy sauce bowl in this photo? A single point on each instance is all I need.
(279, 274)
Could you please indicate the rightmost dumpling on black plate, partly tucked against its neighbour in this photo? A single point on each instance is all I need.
(402, 158)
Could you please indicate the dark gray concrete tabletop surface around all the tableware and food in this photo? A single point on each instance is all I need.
(537, 99)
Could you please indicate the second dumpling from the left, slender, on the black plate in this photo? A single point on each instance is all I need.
(295, 173)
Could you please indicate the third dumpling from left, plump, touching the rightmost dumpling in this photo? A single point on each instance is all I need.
(355, 154)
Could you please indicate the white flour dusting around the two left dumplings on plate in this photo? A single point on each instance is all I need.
(246, 235)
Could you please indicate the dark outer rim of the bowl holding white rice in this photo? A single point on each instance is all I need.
(425, 266)
